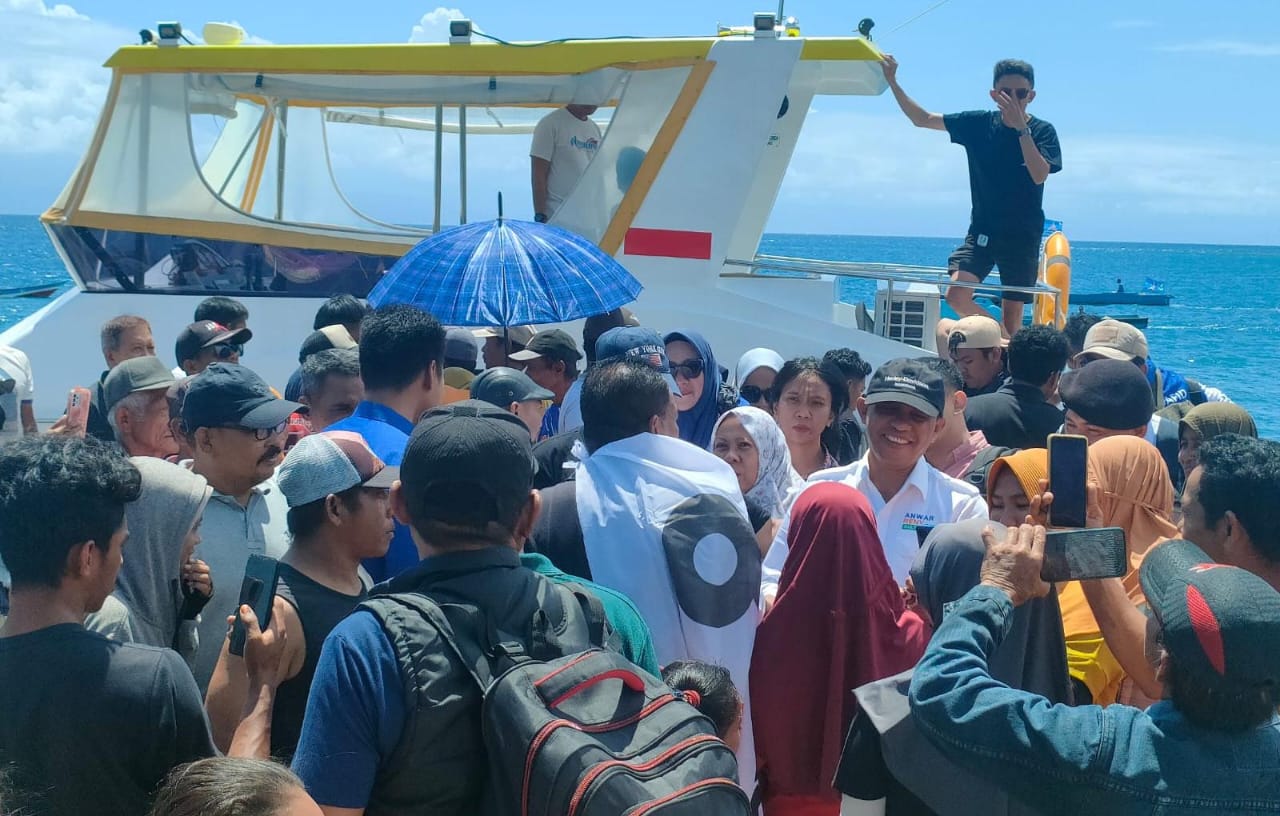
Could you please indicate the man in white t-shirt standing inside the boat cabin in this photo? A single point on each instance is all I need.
(565, 143)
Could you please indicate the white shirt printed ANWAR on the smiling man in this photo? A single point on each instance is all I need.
(930, 498)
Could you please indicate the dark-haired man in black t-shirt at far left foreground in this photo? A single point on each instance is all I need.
(93, 726)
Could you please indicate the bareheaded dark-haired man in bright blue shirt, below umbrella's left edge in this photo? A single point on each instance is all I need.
(401, 363)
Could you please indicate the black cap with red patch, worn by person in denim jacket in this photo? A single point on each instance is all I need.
(1219, 622)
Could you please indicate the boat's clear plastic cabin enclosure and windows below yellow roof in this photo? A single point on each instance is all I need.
(260, 184)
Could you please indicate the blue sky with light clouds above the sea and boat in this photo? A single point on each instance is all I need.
(1167, 112)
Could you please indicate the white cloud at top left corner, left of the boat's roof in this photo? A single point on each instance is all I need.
(52, 77)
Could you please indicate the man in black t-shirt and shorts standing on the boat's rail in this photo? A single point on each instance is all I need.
(1011, 155)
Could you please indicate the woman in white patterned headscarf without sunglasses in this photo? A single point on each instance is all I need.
(752, 443)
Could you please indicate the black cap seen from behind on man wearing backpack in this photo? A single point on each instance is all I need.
(474, 446)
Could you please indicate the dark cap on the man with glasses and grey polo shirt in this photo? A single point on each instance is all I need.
(232, 396)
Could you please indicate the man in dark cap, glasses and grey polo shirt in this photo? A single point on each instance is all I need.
(237, 429)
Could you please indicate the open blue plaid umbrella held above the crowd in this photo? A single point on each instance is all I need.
(508, 273)
